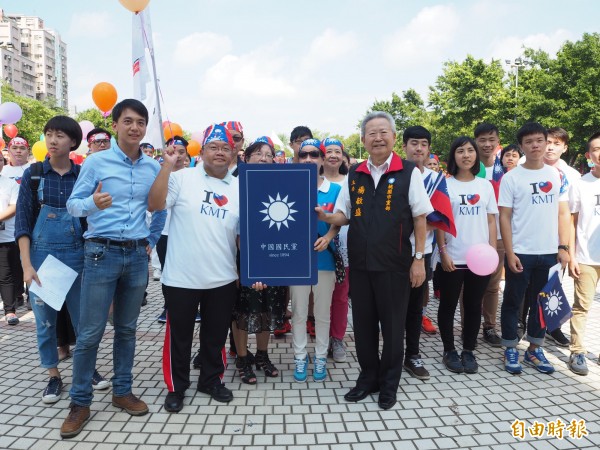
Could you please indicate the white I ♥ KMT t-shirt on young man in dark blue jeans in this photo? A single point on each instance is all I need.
(533, 196)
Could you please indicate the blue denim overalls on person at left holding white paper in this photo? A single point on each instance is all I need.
(58, 234)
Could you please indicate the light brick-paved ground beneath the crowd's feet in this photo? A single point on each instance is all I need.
(448, 411)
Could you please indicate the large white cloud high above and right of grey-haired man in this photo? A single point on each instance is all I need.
(424, 39)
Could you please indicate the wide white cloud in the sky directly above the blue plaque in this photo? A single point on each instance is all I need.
(259, 73)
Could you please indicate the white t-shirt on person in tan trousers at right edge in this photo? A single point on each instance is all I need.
(584, 198)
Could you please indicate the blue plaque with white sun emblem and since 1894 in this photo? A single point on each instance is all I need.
(278, 224)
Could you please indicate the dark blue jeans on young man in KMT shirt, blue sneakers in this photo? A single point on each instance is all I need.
(534, 276)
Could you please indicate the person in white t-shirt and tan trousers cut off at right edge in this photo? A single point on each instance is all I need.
(584, 267)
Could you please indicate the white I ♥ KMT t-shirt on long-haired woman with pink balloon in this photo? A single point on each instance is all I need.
(472, 201)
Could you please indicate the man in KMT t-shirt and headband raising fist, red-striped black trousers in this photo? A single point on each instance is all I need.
(204, 203)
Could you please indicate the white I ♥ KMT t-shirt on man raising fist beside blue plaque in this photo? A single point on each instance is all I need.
(203, 230)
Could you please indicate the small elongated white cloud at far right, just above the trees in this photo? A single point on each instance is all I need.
(509, 47)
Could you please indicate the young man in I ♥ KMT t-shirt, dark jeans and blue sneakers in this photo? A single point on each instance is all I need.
(535, 221)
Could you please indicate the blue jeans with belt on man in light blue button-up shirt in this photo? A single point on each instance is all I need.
(114, 275)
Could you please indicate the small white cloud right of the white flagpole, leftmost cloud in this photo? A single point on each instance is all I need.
(196, 47)
